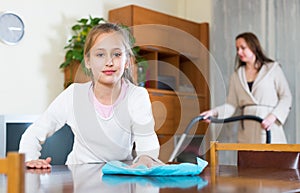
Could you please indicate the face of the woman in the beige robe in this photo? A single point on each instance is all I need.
(244, 52)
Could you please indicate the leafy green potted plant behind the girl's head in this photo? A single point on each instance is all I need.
(74, 53)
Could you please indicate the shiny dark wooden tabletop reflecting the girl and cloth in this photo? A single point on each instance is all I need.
(88, 178)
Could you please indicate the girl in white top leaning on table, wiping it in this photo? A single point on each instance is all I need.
(107, 115)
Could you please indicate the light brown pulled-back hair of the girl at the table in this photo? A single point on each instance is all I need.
(100, 29)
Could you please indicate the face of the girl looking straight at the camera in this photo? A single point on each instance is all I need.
(107, 59)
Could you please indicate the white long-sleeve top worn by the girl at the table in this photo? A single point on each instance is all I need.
(96, 139)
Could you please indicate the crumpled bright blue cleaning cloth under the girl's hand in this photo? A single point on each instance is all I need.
(117, 167)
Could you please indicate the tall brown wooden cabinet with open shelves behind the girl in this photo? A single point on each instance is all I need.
(177, 77)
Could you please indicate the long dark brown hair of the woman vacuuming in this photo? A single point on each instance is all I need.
(254, 45)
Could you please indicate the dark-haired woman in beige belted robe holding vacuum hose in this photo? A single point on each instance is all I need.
(257, 87)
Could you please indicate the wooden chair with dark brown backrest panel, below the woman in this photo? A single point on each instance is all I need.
(259, 155)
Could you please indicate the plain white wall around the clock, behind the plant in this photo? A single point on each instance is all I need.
(30, 76)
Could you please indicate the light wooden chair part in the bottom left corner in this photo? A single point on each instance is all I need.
(14, 168)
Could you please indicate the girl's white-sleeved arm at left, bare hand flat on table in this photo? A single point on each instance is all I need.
(47, 124)
